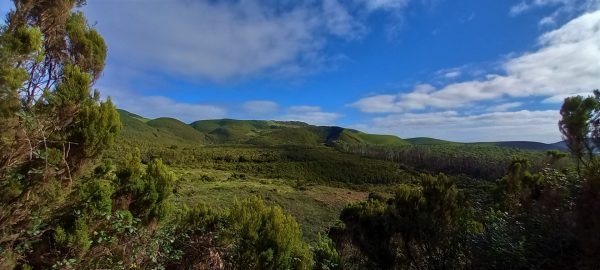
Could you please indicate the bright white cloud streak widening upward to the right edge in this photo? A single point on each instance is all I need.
(567, 62)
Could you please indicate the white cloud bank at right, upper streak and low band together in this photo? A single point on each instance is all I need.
(566, 63)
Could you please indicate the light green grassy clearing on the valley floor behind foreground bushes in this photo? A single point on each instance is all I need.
(315, 207)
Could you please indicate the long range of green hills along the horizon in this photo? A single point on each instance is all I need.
(268, 132)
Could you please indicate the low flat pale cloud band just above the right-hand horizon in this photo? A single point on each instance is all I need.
(450, 125)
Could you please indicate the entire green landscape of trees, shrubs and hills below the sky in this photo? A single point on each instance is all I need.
(86, 186)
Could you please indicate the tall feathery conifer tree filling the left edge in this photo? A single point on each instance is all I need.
(52, 124)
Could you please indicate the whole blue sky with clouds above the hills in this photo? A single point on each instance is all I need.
(470, 70)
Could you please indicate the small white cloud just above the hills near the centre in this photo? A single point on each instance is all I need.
(310, 114)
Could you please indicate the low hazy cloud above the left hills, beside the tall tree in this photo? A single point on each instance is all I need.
(160, 106)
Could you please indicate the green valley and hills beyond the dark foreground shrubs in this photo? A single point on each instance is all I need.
(292, 164)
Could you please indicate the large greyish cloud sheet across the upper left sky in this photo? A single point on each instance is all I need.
(225, 40)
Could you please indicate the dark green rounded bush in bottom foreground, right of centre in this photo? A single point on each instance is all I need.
(413, 230)
